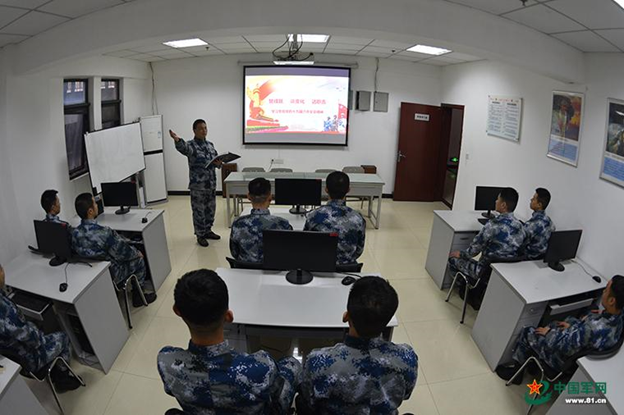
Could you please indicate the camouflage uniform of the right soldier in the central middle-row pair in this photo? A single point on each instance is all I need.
(337, 217)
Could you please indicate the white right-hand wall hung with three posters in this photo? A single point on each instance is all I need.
(580, 198)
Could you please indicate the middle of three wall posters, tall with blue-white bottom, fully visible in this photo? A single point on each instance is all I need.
(565, 126)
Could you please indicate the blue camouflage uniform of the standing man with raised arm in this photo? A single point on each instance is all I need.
(202, 182)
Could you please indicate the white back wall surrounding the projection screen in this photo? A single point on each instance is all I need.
(212, 88)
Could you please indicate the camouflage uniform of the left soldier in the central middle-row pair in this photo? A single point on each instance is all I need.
(246, 235)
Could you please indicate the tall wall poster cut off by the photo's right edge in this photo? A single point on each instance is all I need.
(613, 154)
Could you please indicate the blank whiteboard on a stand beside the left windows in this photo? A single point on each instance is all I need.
(114, 154)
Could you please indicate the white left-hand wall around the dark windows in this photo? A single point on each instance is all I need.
(33, 138)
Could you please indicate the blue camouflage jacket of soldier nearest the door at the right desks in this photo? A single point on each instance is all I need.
(501, 237)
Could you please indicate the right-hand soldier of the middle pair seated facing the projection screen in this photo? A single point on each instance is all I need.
(337, 217)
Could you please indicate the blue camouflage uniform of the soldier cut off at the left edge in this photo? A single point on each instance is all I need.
(23, 339)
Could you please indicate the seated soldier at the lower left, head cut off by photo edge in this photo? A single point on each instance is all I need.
(34, 349)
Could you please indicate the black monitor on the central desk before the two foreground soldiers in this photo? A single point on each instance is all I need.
(300, 252)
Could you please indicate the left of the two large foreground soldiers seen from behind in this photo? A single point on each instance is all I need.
(210, 376)
